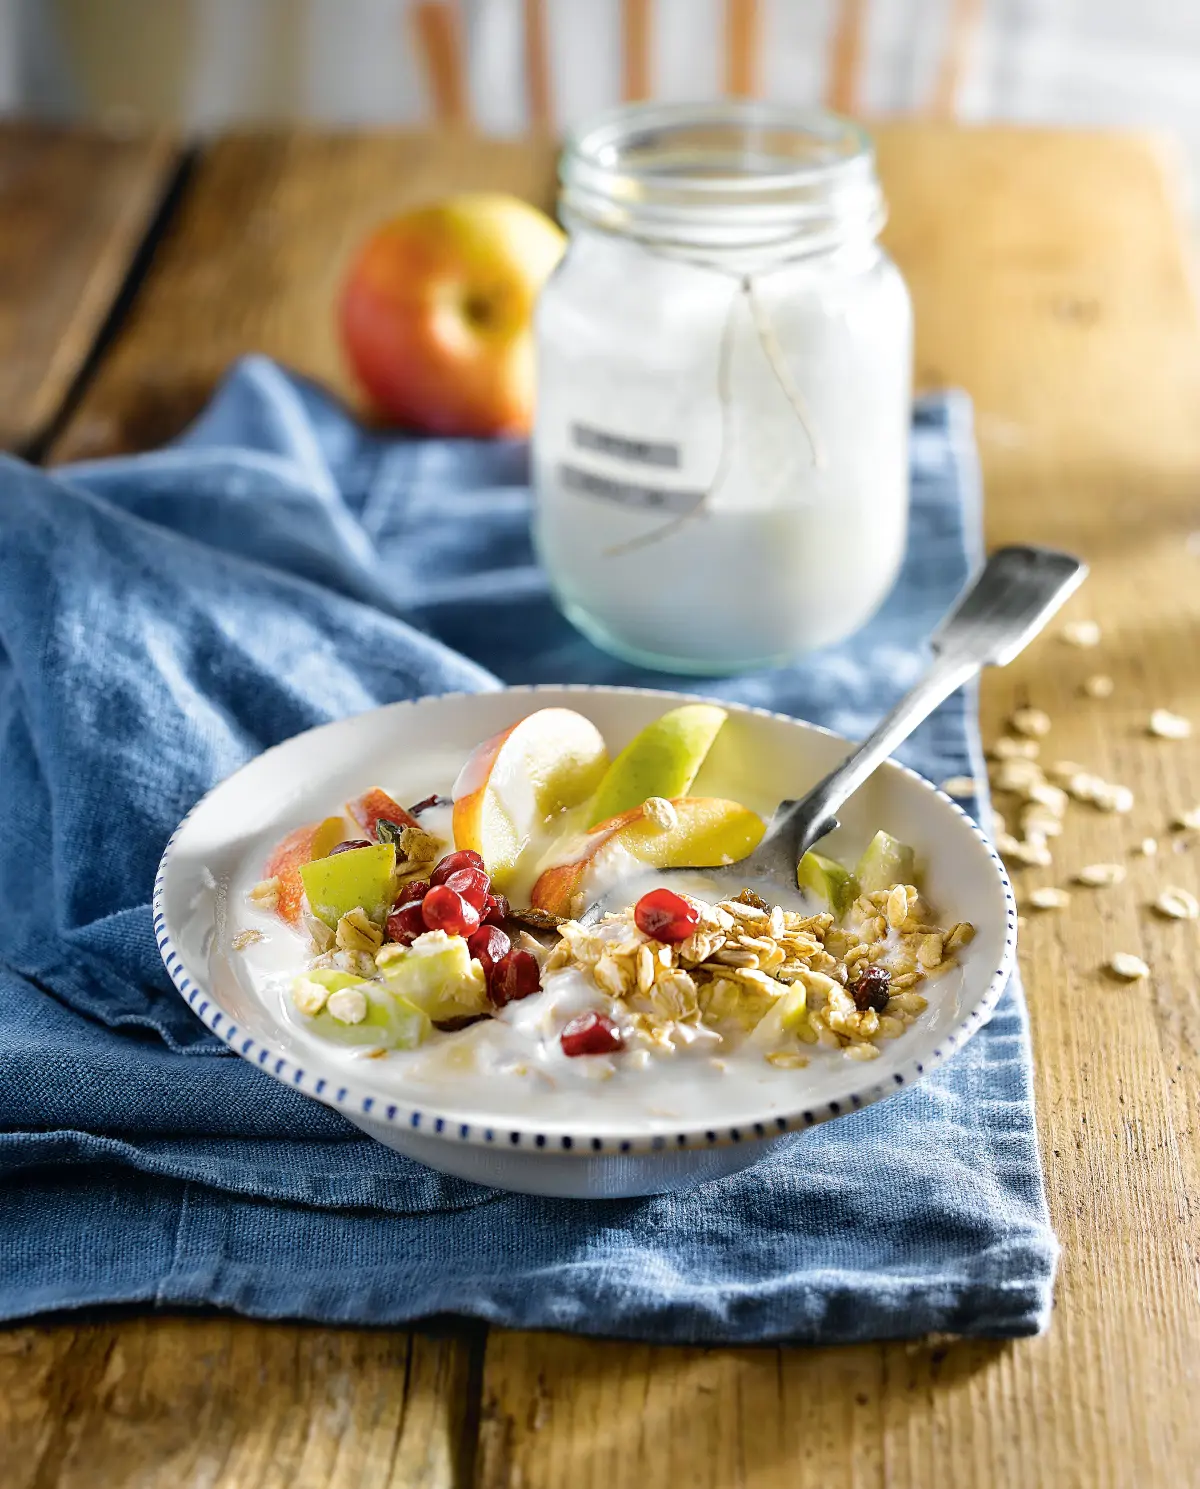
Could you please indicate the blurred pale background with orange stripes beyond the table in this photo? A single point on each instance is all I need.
(511, 65)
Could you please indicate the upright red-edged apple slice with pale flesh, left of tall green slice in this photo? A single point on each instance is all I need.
(516, 784)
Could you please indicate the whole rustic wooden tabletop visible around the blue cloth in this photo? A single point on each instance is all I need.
(1050, 275)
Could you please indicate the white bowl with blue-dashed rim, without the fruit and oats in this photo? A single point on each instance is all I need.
(589, 1149)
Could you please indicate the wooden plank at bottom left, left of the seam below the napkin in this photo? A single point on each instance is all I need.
(229, 1403)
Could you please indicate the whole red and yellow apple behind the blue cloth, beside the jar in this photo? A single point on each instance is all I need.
(437, 313)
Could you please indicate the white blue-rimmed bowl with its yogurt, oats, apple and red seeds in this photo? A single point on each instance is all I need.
(452, 921)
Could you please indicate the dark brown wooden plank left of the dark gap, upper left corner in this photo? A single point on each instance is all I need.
(75, 208)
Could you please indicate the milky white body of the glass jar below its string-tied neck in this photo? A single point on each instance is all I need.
(785, 555)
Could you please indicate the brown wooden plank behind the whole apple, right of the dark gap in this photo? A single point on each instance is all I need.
(254, 261)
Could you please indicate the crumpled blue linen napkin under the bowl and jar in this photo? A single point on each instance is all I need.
(166, 617)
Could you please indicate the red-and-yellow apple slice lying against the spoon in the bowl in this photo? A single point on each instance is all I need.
(709, 832)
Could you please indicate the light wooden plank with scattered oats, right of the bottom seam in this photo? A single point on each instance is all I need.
(1062, 303)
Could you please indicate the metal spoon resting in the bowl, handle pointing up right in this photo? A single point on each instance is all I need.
(992, 622)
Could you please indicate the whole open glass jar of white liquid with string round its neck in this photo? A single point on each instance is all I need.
(724, 382)
